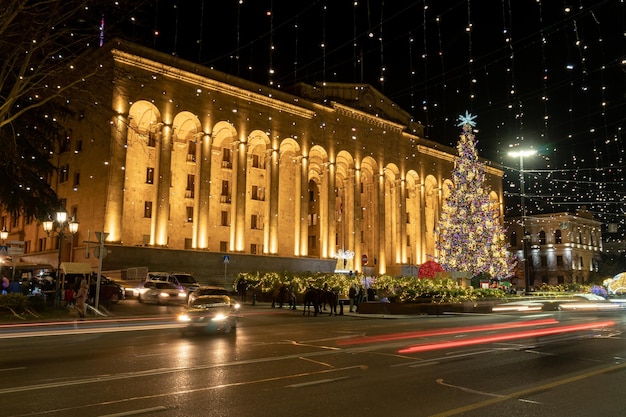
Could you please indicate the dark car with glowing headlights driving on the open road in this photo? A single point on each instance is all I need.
(210, 313)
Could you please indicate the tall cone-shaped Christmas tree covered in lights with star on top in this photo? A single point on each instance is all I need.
(470, 235)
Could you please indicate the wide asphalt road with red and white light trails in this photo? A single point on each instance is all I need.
(279, 362)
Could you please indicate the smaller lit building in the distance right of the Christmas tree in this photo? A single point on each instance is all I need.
(564, 248)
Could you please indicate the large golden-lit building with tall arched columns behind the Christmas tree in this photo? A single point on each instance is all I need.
(164, 153)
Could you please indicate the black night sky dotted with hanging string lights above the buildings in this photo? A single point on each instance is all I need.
(544, 74)
